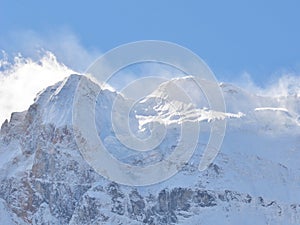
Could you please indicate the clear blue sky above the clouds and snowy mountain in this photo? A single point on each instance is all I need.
(261, 38)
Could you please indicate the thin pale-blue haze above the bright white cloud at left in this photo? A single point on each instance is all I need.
(62, 42)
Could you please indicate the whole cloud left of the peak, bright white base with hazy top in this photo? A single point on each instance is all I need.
(46, 59)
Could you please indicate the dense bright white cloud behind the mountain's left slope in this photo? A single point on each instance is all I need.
(23, 78)
